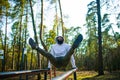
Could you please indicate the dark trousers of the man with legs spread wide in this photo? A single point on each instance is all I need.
(58, 62)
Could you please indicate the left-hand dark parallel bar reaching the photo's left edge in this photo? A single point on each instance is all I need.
(4, 75)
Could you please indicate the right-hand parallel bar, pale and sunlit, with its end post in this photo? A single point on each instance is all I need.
(66, 75)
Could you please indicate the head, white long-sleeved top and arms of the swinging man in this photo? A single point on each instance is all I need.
(60, 49)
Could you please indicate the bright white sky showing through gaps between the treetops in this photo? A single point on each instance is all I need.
(76, 10)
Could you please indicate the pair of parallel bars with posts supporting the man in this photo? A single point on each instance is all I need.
(4, 75)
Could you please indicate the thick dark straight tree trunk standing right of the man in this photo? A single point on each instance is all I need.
(100, 58)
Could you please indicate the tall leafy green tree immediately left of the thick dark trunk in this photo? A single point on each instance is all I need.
(91, 24)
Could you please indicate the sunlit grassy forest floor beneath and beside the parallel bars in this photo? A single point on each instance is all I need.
(81, 75)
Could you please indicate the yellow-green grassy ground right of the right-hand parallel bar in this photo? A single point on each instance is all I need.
(91, 75)
